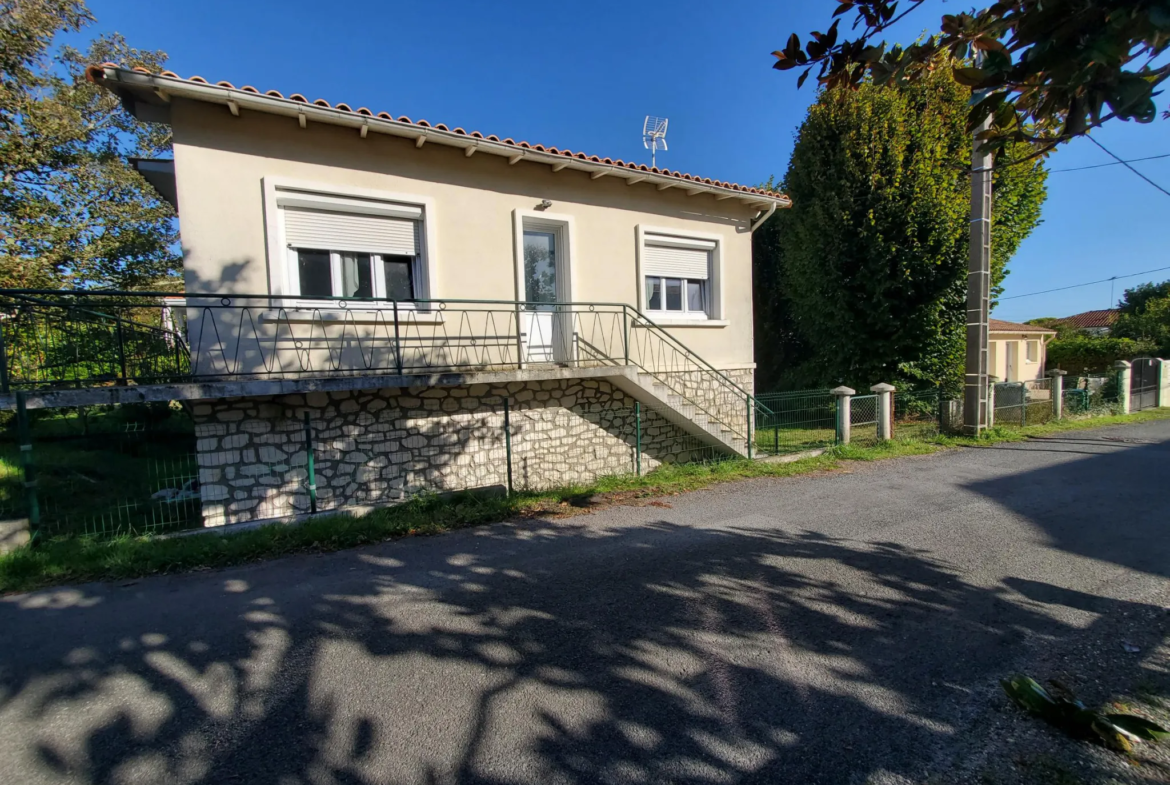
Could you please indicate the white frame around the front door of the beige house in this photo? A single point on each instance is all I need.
(563, 228)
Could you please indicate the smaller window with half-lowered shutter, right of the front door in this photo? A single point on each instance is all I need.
(678, 276)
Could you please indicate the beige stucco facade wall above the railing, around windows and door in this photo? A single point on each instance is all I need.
(223, 161)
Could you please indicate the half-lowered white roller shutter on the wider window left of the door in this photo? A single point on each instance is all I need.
(369, 235)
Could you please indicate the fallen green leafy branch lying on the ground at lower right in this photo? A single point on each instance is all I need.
(1064, 711)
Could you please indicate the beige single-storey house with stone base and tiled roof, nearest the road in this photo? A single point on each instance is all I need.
(408, 287)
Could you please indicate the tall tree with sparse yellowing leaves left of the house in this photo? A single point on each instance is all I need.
(73, 210)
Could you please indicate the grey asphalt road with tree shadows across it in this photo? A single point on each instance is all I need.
(834, 629)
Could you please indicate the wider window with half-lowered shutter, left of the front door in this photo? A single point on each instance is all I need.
(350, 249)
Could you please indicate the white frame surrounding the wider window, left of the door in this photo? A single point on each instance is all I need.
(284, 278)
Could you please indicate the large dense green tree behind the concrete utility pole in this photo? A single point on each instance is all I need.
(871, 261)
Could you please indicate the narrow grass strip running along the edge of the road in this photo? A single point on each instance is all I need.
(81, 560)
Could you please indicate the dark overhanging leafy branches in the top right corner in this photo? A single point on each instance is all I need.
(1054, 70)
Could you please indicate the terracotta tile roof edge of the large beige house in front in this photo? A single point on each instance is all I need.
(97, 74)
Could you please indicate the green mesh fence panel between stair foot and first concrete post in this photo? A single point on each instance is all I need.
(795, 422)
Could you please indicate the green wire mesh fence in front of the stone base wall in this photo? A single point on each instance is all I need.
(139, 470)
